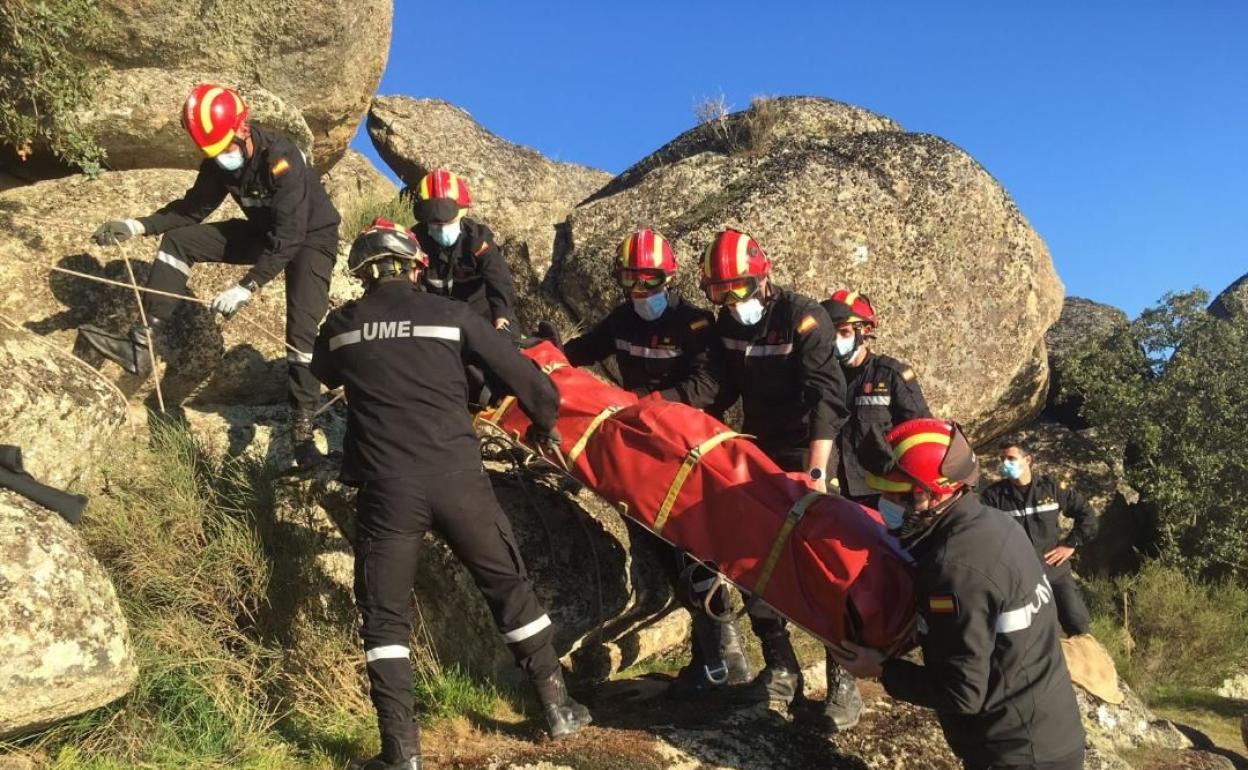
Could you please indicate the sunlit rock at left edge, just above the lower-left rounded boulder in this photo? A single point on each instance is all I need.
(59, 411)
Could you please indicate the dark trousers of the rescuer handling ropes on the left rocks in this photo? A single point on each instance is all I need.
(240, 243)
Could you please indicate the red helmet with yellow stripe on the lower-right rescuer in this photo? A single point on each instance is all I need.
(929, 454)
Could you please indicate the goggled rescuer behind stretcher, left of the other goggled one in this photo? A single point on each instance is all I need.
(661, 345)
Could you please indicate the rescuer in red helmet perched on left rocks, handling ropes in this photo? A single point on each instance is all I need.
(290, 228)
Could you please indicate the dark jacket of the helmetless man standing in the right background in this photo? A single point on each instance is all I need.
(1038, 507)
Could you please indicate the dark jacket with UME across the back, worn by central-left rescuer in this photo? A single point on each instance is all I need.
(400, 353)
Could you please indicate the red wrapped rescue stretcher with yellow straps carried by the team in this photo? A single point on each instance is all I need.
(823, 562)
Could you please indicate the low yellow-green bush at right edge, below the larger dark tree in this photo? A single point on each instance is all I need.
(1168, 630)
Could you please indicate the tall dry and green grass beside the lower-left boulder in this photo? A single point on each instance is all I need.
(213, 592)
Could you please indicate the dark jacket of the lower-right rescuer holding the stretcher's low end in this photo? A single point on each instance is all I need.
(993, 666)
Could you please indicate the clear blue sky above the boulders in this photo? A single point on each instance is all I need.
(1121, 129)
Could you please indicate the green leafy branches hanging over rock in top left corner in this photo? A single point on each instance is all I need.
(43, 84)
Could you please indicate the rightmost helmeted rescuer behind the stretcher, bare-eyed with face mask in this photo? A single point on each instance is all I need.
(882, 392)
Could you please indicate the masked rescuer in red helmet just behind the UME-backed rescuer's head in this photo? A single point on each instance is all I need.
(465, 263)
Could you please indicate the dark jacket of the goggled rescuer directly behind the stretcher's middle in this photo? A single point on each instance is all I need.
(670, 355)
